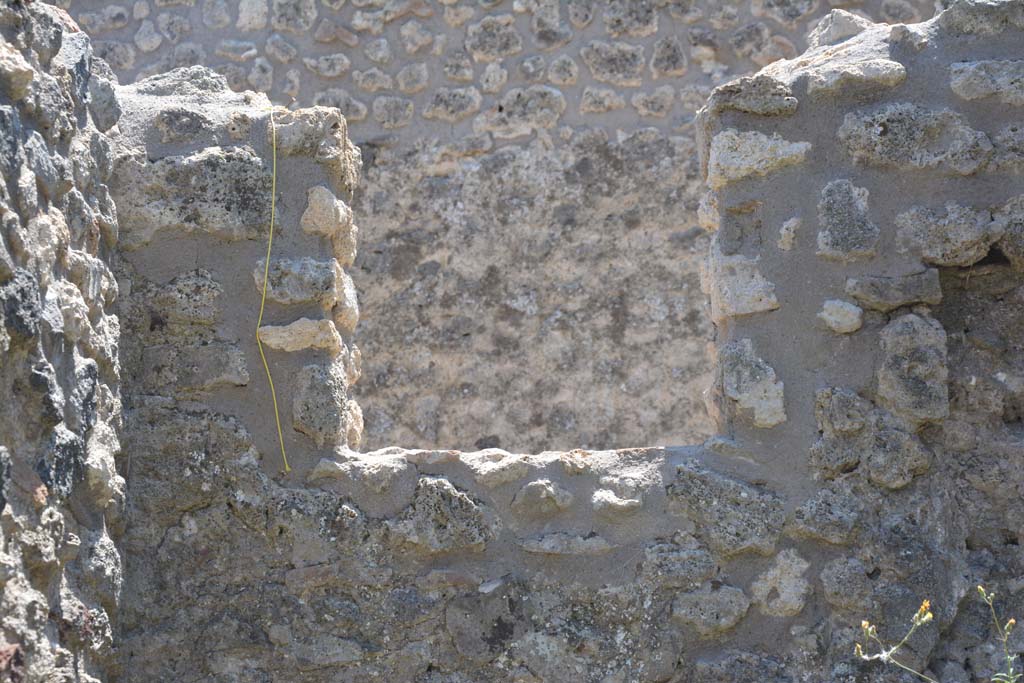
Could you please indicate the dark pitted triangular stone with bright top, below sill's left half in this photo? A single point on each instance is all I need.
(442, 519)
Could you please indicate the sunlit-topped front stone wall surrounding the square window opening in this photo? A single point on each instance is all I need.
(867, 288)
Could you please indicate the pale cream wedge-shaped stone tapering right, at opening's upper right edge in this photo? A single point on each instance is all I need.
(736, 156)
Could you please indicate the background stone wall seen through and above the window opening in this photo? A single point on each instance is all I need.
(529, 220)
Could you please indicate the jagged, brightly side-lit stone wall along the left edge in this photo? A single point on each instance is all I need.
(62, 497)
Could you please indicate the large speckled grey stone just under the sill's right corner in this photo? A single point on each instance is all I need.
(733, 517)
